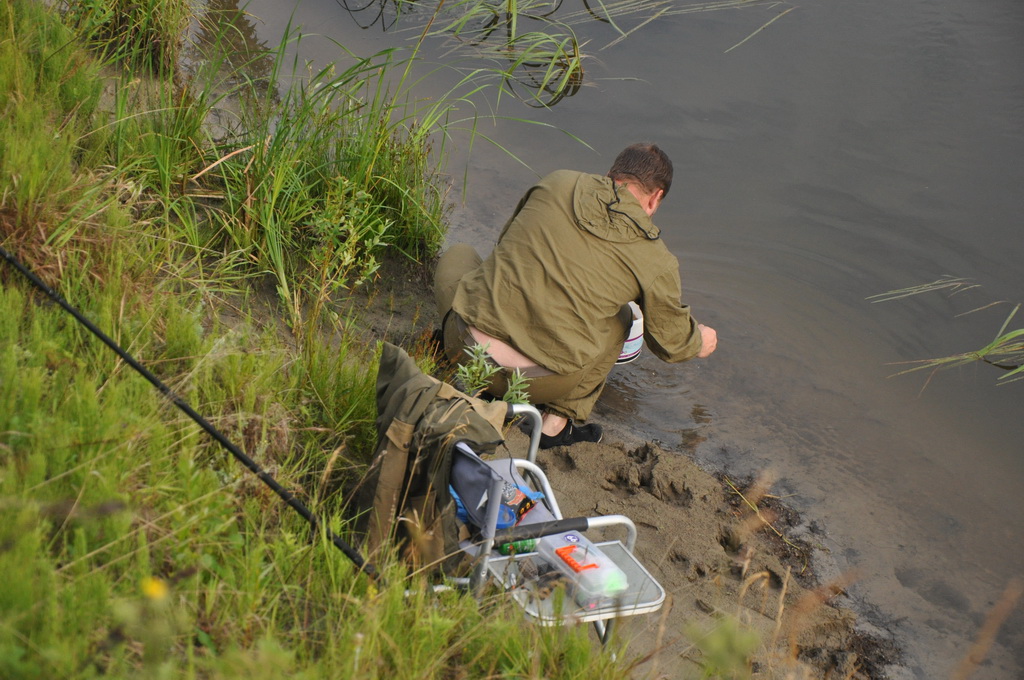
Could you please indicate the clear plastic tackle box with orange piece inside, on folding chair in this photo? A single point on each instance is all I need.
(593, 574)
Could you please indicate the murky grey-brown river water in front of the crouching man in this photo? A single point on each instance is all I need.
(848, 149)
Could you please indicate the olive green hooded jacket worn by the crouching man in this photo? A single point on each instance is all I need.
(576, 250)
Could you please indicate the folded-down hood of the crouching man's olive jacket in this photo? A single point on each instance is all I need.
(611, 214)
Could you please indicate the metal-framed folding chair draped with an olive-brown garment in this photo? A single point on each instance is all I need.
(426, 434)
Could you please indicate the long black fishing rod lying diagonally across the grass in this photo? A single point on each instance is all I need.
(285, 495)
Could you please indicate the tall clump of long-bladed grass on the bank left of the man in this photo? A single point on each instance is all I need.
(321, 182)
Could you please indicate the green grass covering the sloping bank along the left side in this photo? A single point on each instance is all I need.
(131, 544)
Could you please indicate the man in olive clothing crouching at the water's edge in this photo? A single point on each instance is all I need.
(552, 297)
